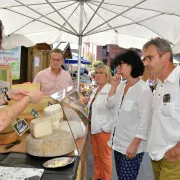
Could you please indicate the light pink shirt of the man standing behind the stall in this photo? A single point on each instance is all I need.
(50, 83)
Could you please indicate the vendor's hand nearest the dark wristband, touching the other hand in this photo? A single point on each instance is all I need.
(16, 94)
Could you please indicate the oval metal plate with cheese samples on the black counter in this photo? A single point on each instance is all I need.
(58, 162)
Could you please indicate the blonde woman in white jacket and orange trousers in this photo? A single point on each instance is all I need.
(100, 119)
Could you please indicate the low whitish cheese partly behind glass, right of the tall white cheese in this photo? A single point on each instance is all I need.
(78, 128)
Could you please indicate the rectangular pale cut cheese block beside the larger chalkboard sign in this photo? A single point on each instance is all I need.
(41, 127)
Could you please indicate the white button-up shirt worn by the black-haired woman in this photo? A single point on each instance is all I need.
(133, 116)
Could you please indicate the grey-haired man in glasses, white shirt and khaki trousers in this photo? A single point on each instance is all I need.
(164, 140)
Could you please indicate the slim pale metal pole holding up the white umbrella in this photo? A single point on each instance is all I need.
(80, 43)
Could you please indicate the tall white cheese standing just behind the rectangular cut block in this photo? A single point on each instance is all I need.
(56, 113)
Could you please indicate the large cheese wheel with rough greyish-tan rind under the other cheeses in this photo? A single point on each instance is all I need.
(57, 144)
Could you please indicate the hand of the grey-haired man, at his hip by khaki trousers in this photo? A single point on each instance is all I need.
(173, 154)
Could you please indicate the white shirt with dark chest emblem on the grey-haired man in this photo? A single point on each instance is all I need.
(165, 132)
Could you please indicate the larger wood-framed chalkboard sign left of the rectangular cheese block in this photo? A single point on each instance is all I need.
(20, 126)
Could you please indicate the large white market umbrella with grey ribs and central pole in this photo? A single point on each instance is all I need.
(128, 23)
